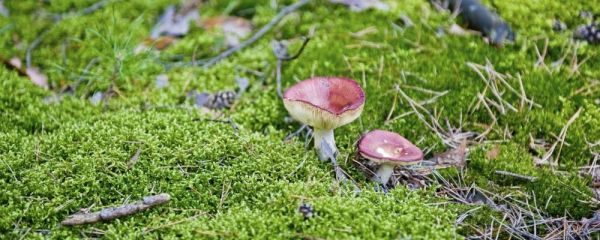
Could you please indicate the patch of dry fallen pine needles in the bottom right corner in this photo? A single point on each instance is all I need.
(521, 219)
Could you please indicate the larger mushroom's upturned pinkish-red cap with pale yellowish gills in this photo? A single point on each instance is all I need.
(325, 102)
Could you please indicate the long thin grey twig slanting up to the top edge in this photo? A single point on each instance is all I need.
(264, 30)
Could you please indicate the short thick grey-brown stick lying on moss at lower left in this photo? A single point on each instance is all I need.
(108, 214)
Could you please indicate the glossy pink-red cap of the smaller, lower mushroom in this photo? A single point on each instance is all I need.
(389, 147)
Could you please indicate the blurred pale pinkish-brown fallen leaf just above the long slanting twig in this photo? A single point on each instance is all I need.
(234, 28)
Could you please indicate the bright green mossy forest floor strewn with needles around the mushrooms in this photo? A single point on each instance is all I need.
(106, 122)
